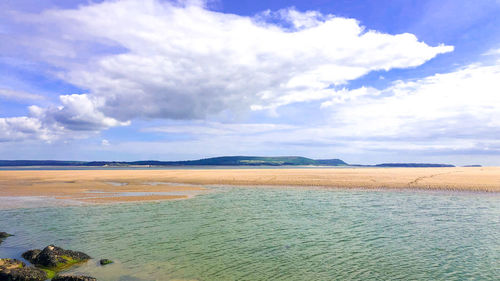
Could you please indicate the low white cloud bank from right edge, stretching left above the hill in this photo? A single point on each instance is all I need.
(455, 113)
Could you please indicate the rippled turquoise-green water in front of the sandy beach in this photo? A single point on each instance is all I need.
(276, 234)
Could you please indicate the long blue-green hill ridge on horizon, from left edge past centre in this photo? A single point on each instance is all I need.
(216, 161)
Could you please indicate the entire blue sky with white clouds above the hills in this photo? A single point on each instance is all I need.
(364, 81)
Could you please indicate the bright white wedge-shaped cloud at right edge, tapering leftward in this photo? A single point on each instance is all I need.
(460, 104)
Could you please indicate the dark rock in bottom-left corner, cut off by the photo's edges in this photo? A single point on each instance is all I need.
(16, 270)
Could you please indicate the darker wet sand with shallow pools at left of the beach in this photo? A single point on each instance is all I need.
(72, 186)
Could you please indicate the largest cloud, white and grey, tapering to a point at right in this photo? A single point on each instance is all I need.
(152, 59)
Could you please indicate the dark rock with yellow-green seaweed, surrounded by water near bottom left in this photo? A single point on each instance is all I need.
(54, 257)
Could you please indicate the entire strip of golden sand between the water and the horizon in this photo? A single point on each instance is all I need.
(108, 185)
